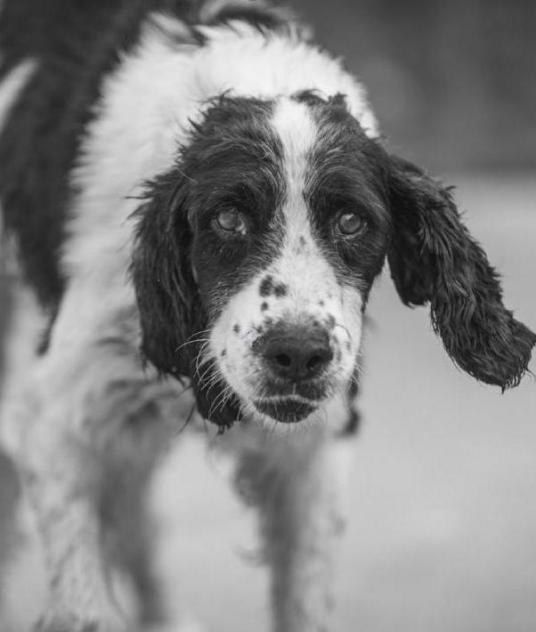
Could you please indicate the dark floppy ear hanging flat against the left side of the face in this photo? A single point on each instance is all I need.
(172, 316)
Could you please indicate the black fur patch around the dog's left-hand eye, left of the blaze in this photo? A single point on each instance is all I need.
(233, 160)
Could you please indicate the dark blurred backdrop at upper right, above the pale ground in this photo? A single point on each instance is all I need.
(453, 82)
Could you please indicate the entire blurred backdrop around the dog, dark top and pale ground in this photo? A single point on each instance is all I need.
(442, 528)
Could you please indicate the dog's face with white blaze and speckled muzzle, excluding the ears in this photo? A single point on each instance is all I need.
(290, 226)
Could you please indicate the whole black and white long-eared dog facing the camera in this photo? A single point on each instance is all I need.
(197, 196)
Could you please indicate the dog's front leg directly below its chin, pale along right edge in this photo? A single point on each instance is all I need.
(296, 483)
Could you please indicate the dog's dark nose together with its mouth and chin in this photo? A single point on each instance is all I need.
(295, 359)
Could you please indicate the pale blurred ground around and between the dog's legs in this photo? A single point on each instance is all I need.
(442, 534)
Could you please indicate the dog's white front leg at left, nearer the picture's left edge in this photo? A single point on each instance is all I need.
(61, 468)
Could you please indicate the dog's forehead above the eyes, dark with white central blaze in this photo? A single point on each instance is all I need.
(294, 139)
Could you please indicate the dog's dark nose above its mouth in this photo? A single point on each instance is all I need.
(297, 353)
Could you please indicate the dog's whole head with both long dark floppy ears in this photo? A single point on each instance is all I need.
(256, 253)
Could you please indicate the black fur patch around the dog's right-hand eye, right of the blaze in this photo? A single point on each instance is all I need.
(347, 174)
